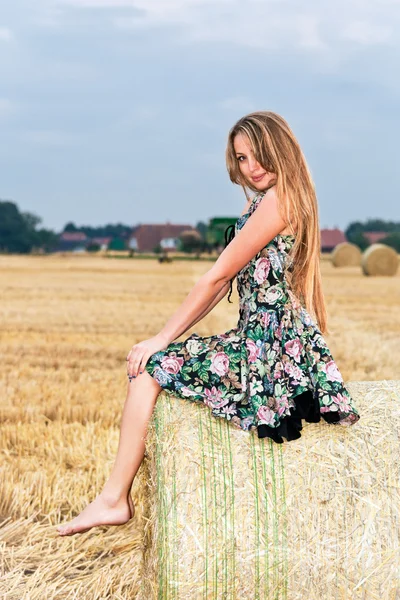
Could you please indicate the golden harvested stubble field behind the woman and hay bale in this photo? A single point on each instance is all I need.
(67, 324)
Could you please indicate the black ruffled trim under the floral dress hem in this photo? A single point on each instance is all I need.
(306, 407)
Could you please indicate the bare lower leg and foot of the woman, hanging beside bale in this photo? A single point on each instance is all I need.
(114, 505)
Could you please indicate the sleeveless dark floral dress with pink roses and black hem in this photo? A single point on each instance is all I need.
(272, 369)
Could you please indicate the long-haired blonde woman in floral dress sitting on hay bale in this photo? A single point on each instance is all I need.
(274, 368)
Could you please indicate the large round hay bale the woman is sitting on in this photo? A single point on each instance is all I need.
(234, 516)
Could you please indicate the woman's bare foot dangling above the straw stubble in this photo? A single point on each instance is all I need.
(102, 511)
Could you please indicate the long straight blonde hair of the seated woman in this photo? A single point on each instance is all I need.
(277, 150)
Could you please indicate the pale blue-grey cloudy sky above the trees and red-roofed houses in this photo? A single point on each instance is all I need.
(119, 110)
